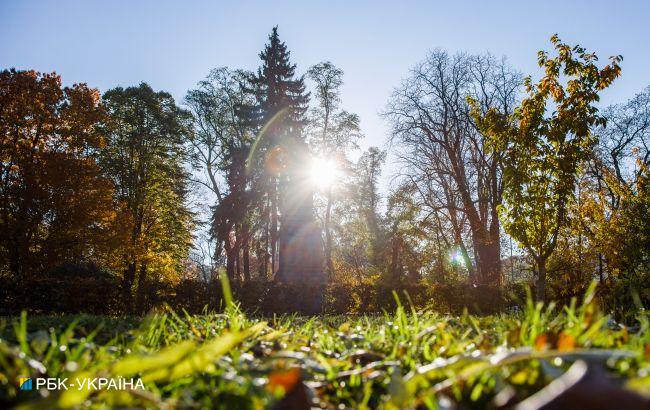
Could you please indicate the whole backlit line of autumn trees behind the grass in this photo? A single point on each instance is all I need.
(502, 179)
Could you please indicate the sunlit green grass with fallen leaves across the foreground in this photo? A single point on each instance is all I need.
(404, 359)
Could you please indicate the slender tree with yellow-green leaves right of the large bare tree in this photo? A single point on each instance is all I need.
(545, 142)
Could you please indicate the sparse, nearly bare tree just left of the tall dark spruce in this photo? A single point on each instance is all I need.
(219, 147)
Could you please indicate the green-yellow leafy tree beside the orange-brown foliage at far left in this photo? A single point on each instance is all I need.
(144, 156)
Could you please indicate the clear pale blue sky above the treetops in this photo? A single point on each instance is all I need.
(173, 45)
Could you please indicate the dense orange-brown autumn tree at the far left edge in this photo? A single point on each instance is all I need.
(55, 205)
